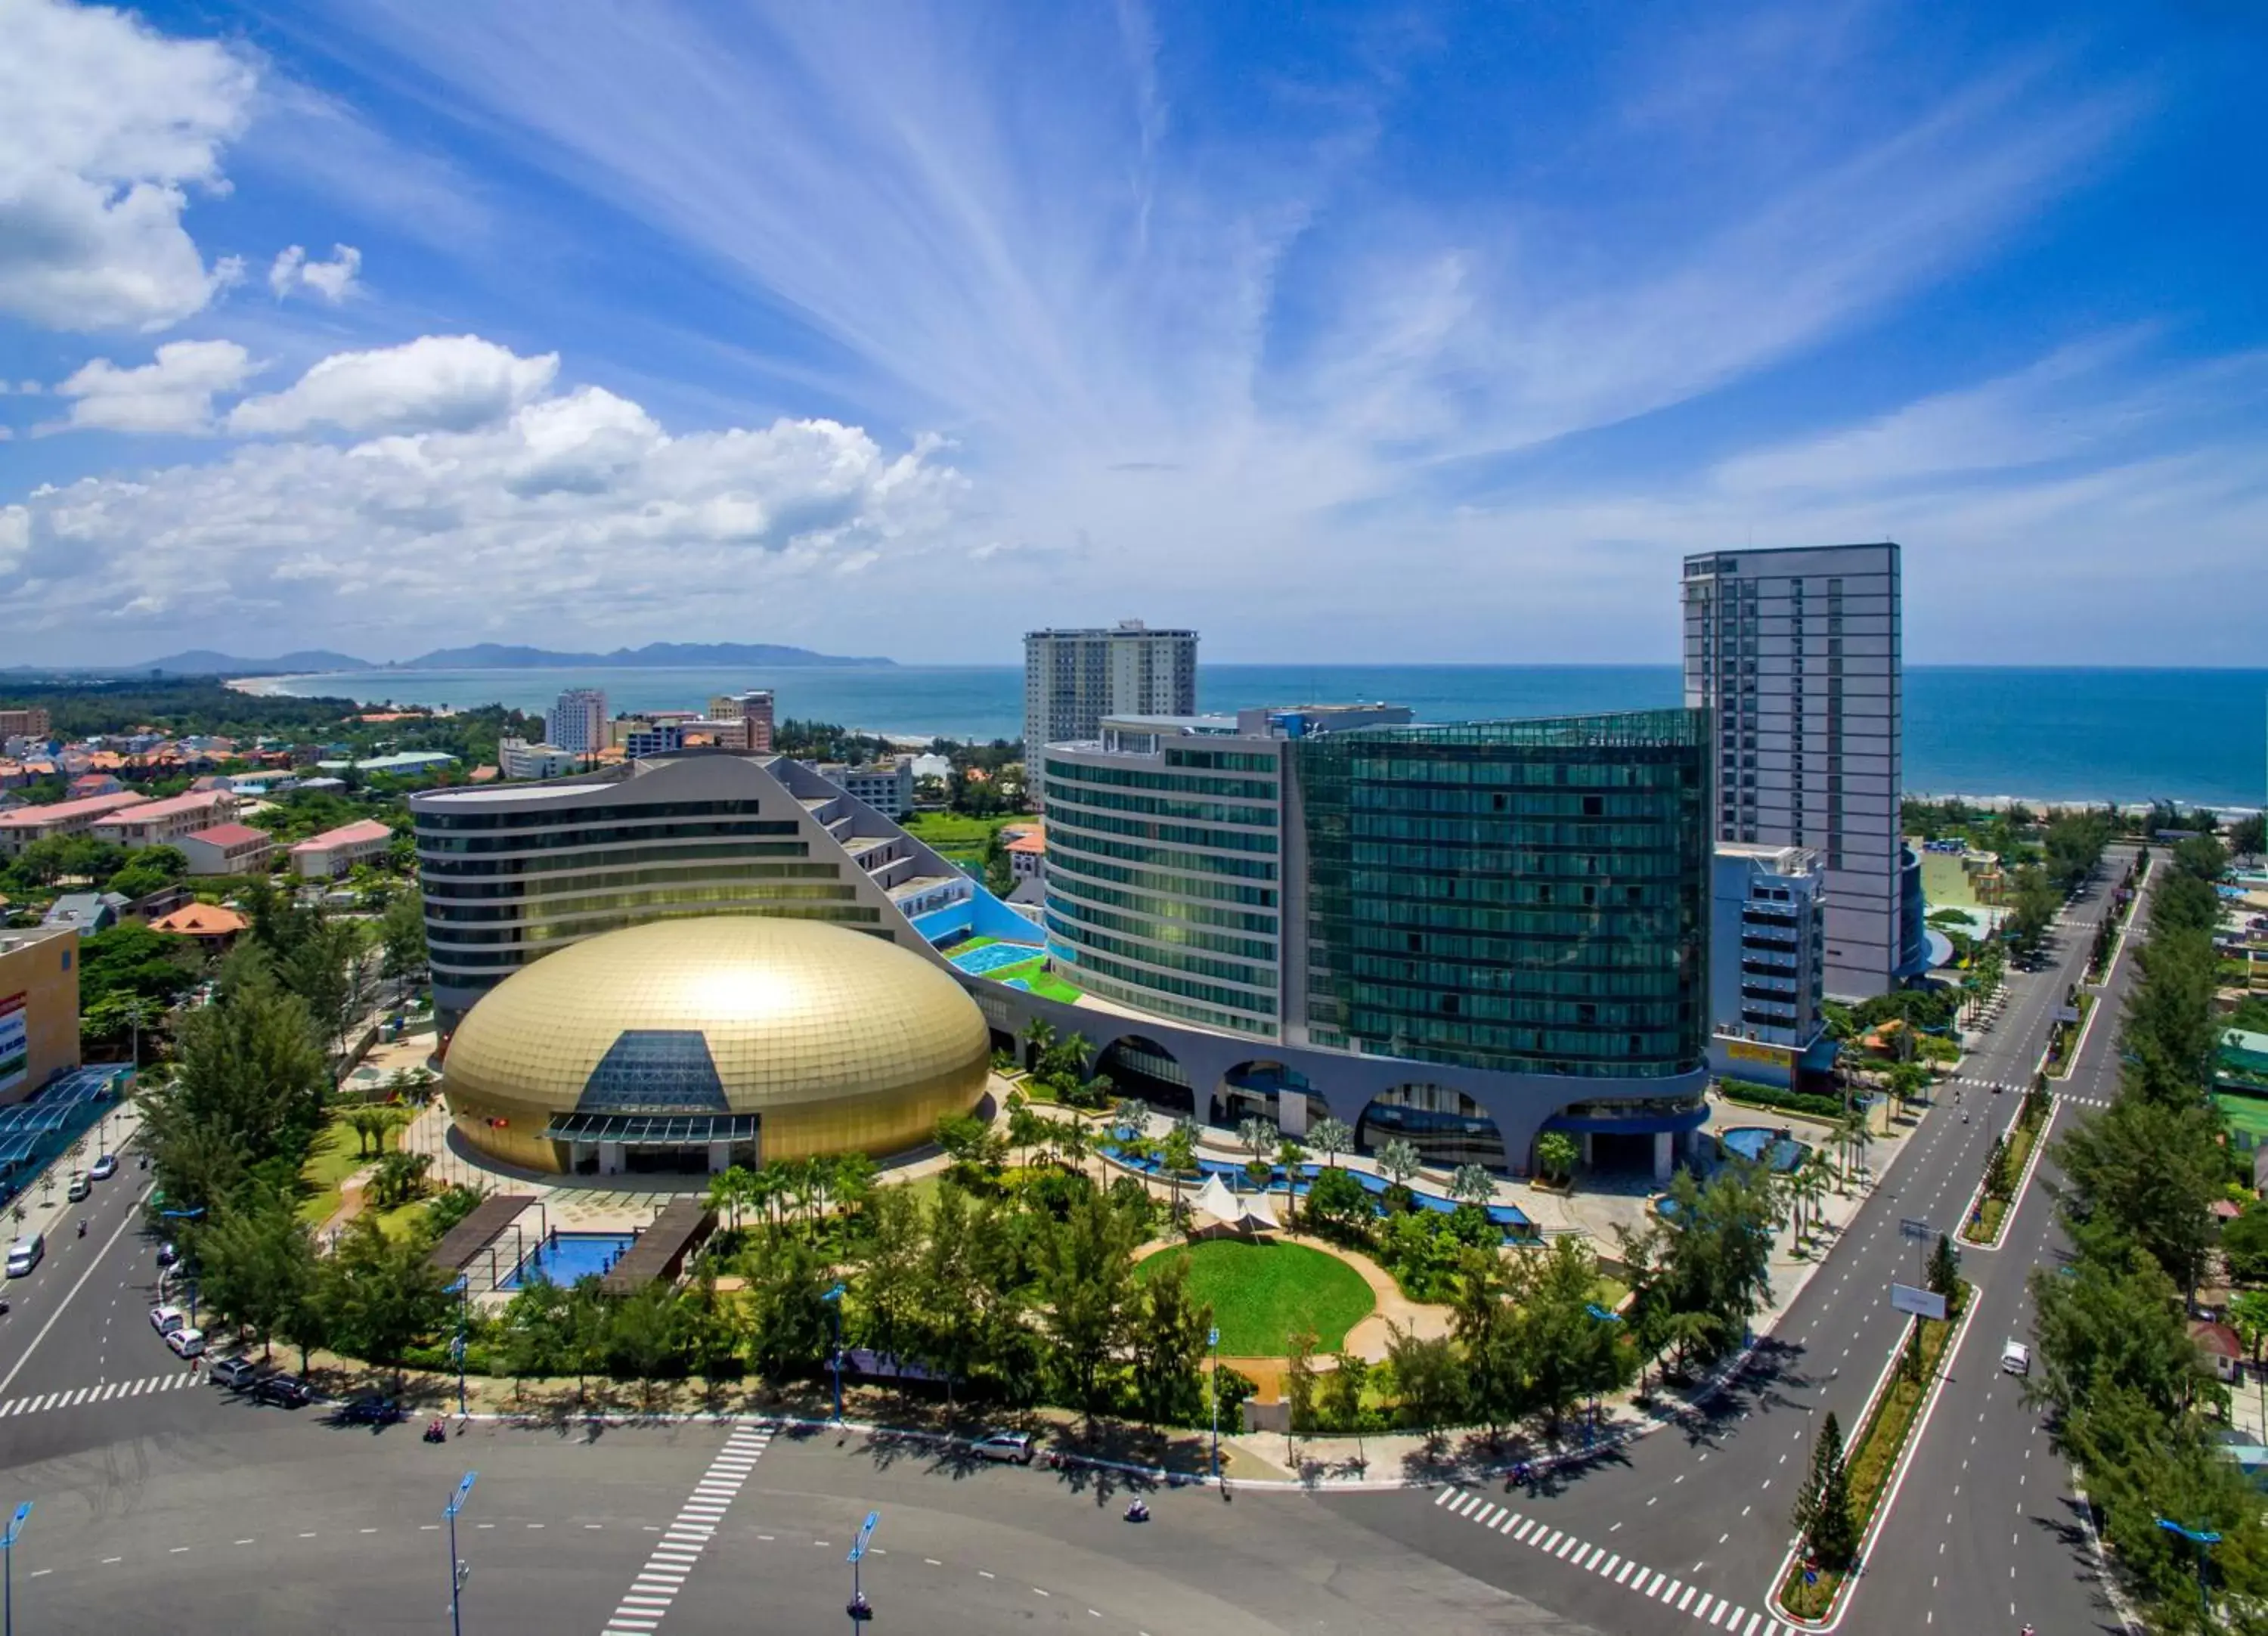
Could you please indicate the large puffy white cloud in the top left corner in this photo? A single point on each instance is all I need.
(105, 126)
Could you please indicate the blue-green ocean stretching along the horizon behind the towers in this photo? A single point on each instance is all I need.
(2194, 736)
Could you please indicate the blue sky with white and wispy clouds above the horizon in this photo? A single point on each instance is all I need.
(1337, 332)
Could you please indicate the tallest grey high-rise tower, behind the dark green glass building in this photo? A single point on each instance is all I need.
(1795, 655)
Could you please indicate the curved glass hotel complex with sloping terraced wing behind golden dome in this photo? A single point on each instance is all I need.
(1462, 936)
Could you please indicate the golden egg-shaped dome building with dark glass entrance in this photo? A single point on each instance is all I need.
(704, 1043)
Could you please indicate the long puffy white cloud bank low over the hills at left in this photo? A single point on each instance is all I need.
(573, 512)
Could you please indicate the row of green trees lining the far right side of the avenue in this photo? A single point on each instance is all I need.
(2117, 1365)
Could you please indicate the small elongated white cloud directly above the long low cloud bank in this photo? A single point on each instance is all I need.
(434, 382)
